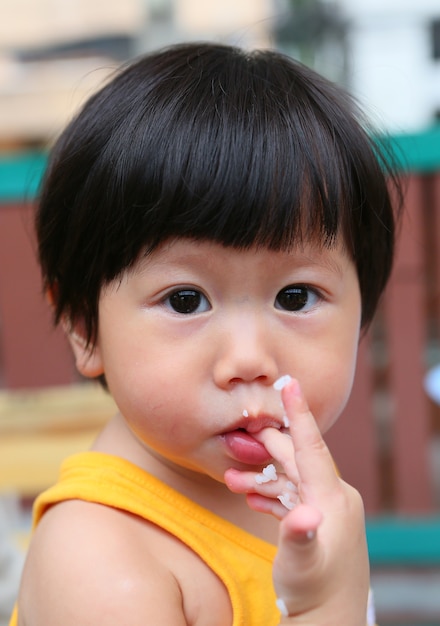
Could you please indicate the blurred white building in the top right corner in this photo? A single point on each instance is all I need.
(395, 60)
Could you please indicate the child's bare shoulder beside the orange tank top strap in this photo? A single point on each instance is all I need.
(89, 564)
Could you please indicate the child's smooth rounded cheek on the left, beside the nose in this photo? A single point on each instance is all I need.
(151, 378)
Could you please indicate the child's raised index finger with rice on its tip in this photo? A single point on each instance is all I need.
(314, 462)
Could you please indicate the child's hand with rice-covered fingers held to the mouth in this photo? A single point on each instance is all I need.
(321, 570)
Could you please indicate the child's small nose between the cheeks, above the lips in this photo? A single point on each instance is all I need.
(246, 354)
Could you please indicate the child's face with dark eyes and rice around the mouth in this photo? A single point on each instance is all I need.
(193, 338)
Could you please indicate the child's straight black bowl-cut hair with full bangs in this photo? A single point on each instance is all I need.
(210, 142)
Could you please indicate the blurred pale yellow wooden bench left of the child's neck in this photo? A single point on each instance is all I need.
(41, 427)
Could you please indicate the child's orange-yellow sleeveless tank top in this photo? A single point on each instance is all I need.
(240, 560)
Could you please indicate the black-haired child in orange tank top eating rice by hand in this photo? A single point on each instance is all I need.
(211, 222)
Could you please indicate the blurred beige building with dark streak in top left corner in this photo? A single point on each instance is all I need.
(53, 54)
